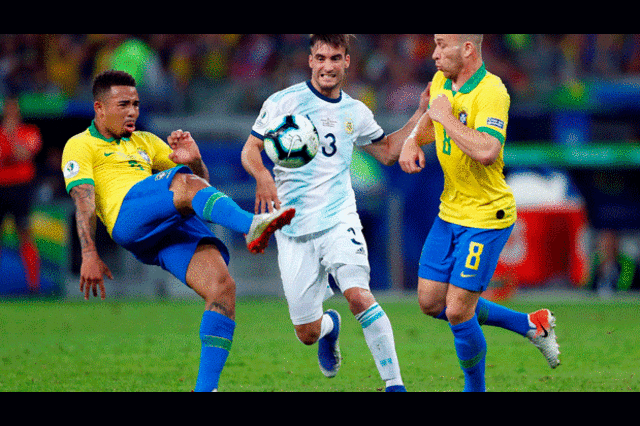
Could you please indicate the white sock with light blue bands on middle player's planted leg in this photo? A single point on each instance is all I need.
(379, 337)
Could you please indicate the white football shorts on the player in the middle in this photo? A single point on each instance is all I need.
(306, 262)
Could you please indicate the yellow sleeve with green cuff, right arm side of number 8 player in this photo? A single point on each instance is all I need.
(493, 112)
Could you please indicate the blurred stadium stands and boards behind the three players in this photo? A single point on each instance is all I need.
(572, 150)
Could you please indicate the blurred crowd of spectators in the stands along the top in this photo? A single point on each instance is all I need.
(182, 73)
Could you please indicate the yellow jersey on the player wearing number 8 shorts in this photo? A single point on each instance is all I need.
(474, 195)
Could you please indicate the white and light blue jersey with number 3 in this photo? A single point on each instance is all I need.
(321, 190)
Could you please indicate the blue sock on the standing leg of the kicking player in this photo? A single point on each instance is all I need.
(216, 334)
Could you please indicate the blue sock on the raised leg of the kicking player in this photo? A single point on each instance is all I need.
(214, 206)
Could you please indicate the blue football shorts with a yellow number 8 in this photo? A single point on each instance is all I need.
(462, 256)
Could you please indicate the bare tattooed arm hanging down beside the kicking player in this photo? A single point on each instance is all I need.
(93, 268)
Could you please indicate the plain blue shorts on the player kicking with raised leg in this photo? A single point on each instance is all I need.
(150, 227)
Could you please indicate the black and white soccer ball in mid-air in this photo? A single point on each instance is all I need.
(291, 140)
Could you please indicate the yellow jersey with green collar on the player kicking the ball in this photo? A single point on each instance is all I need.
(113, 166)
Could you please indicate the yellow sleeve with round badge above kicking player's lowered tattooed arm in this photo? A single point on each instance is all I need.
(77, 163)
